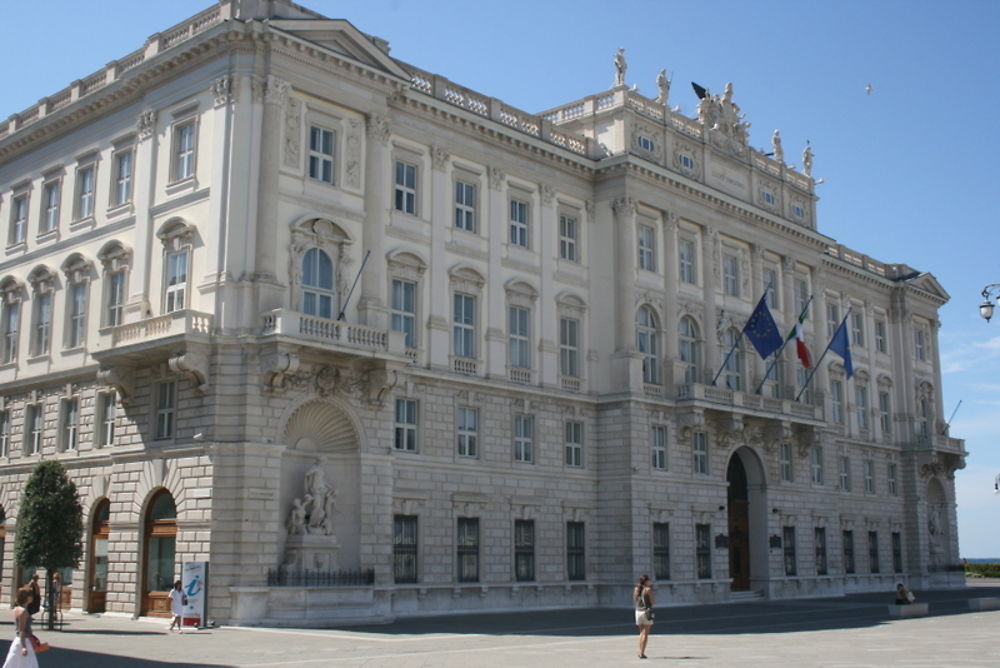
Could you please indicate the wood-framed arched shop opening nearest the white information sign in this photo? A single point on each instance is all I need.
(159, 569)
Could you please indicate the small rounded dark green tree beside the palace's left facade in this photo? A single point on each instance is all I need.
(49, 524)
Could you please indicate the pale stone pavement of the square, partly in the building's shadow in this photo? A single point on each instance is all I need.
(851, 631)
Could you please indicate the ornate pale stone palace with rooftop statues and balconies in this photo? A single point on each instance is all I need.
(374, 344)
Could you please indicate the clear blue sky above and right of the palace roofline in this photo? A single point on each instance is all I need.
(911, 171)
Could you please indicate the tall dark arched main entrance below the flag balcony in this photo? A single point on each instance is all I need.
(747, 509)
